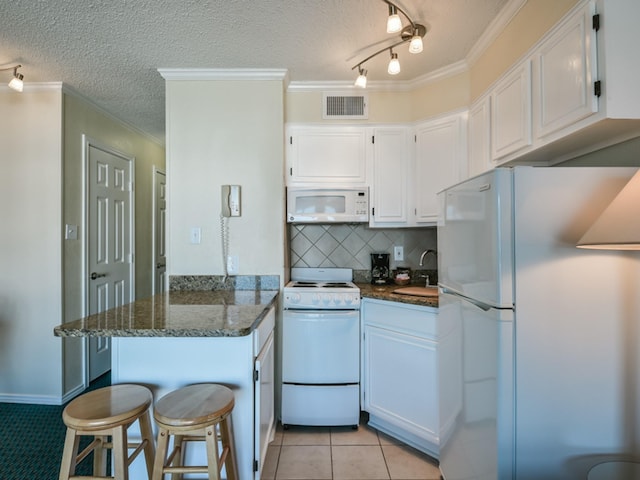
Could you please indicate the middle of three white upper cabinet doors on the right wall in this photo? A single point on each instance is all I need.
(511, 112)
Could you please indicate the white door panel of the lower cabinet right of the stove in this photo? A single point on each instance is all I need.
(400, 381)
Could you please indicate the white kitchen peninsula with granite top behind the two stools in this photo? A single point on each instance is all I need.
(193, 336)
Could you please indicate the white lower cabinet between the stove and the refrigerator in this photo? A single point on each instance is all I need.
(399, 372)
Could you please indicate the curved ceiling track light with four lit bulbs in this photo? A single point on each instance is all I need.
(412, 34)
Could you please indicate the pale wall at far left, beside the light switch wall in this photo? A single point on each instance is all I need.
(30, 245)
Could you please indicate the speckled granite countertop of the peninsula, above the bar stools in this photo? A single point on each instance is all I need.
(220, 313)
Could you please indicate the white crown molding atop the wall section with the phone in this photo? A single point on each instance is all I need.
(188, 74)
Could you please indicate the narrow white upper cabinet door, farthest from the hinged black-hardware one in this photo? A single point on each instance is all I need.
(479, 137)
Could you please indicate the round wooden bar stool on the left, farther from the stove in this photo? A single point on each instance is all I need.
(105, 412)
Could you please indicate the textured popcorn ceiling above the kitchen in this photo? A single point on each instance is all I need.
(110, 50)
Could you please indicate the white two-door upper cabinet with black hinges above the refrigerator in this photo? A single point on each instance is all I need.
(583, 88)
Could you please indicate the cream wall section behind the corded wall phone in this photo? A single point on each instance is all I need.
(225, 132)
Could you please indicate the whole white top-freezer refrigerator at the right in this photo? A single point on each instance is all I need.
(541, 379)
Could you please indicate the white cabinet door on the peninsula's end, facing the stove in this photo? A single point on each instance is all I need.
(264, 411)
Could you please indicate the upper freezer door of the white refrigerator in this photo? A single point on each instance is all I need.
(475, 240)
